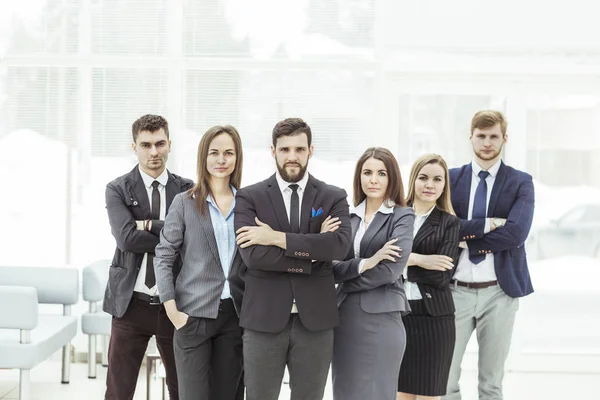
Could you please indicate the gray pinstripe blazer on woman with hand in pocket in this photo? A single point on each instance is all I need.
(199, 285)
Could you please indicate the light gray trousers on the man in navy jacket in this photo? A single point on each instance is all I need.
(491, 313)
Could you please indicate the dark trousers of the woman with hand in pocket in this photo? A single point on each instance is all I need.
(208, 354)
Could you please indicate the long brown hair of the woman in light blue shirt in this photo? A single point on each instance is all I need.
(202, 187)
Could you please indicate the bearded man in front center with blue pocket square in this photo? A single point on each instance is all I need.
(289, 307)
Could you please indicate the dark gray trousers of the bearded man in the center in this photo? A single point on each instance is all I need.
(307, 355)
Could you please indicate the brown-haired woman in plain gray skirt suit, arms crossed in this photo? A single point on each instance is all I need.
(370, 340)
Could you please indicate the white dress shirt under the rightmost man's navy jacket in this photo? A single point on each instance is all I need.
(466, 271)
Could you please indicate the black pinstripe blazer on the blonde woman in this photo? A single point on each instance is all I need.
(438, 235)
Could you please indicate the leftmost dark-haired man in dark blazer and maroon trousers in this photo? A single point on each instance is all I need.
(137, 203)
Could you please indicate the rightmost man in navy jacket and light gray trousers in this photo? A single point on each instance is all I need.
(495, 205)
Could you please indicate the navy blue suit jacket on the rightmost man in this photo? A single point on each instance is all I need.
(512, 198)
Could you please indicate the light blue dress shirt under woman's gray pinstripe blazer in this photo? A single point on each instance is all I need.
(225, 237)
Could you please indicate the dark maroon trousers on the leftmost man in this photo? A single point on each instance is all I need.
(128, 342)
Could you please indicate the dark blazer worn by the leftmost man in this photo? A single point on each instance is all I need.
(127, 202)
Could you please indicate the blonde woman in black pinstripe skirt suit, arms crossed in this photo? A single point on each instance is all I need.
(430, 332)
